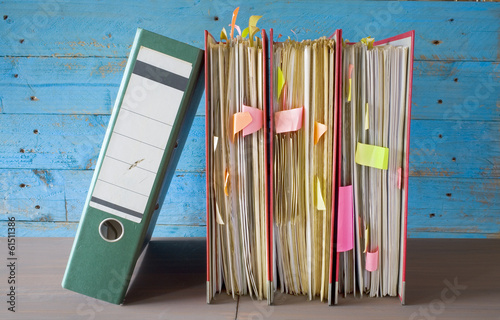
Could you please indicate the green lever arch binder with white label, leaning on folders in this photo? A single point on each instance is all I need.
(153, 113)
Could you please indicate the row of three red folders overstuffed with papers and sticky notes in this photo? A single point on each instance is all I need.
(334, 199)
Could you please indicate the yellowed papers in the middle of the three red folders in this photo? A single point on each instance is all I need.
(304, 144)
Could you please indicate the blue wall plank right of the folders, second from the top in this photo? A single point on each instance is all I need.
(456, 90)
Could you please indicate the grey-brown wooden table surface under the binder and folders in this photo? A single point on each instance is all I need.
(446, 279)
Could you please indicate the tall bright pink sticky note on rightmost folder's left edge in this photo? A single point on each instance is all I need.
(345, 240)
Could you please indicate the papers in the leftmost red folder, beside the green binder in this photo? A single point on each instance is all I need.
(237, 166)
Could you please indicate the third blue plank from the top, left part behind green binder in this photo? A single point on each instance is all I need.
(73, 142)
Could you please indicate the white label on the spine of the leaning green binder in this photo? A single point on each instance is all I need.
(140, 134)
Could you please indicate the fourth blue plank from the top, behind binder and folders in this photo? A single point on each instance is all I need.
(452, 205)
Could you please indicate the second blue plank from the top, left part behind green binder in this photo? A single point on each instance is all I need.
(61, 85)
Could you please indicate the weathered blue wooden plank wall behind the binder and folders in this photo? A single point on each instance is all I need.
(61, 63)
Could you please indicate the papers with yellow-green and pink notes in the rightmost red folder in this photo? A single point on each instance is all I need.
(374, 133)
